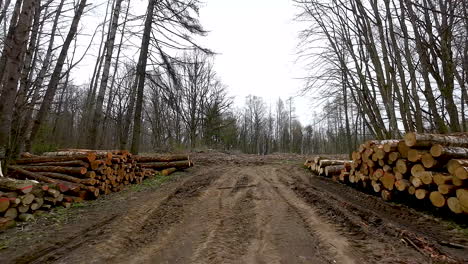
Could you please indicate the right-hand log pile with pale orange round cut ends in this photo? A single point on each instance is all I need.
(430, 167)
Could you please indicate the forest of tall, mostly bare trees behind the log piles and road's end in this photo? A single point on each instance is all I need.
(378, 69)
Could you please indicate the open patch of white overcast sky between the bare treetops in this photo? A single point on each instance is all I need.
(256, 41)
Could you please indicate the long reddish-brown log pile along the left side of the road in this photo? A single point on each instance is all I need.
(37, 183)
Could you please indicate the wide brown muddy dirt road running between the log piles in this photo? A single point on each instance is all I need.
(239, 209)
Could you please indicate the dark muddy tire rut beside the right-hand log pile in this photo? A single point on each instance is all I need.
(370, 235)
